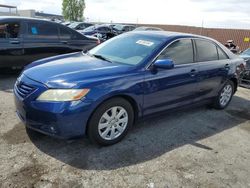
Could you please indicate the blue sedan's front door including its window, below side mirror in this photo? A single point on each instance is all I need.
(170, 88)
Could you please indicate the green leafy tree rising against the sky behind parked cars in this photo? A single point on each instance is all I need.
(73, 9)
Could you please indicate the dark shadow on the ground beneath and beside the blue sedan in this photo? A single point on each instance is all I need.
(149, 139)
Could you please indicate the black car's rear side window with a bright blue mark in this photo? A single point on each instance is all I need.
(42, 30)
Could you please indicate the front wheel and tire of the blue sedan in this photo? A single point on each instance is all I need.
(110, 122)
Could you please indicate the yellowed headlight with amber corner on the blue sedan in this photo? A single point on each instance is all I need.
(63, 94)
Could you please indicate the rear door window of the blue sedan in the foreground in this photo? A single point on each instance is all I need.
(206, 51)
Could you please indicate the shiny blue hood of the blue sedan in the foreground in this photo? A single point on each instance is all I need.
(71, 70)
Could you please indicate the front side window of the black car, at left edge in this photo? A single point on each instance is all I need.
(9, 30)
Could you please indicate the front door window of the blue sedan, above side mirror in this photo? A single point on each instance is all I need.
(181, 52)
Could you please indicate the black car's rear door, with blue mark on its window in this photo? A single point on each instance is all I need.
(41, 40)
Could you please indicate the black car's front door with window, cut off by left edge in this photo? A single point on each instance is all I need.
(11, 44)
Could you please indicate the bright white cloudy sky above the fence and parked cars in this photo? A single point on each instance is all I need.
(209, 13)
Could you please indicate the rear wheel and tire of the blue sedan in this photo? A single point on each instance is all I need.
(227, 92)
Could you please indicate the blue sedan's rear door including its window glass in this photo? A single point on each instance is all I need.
(213, 67)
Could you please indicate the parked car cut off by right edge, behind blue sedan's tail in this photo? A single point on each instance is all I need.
(245, 78)
